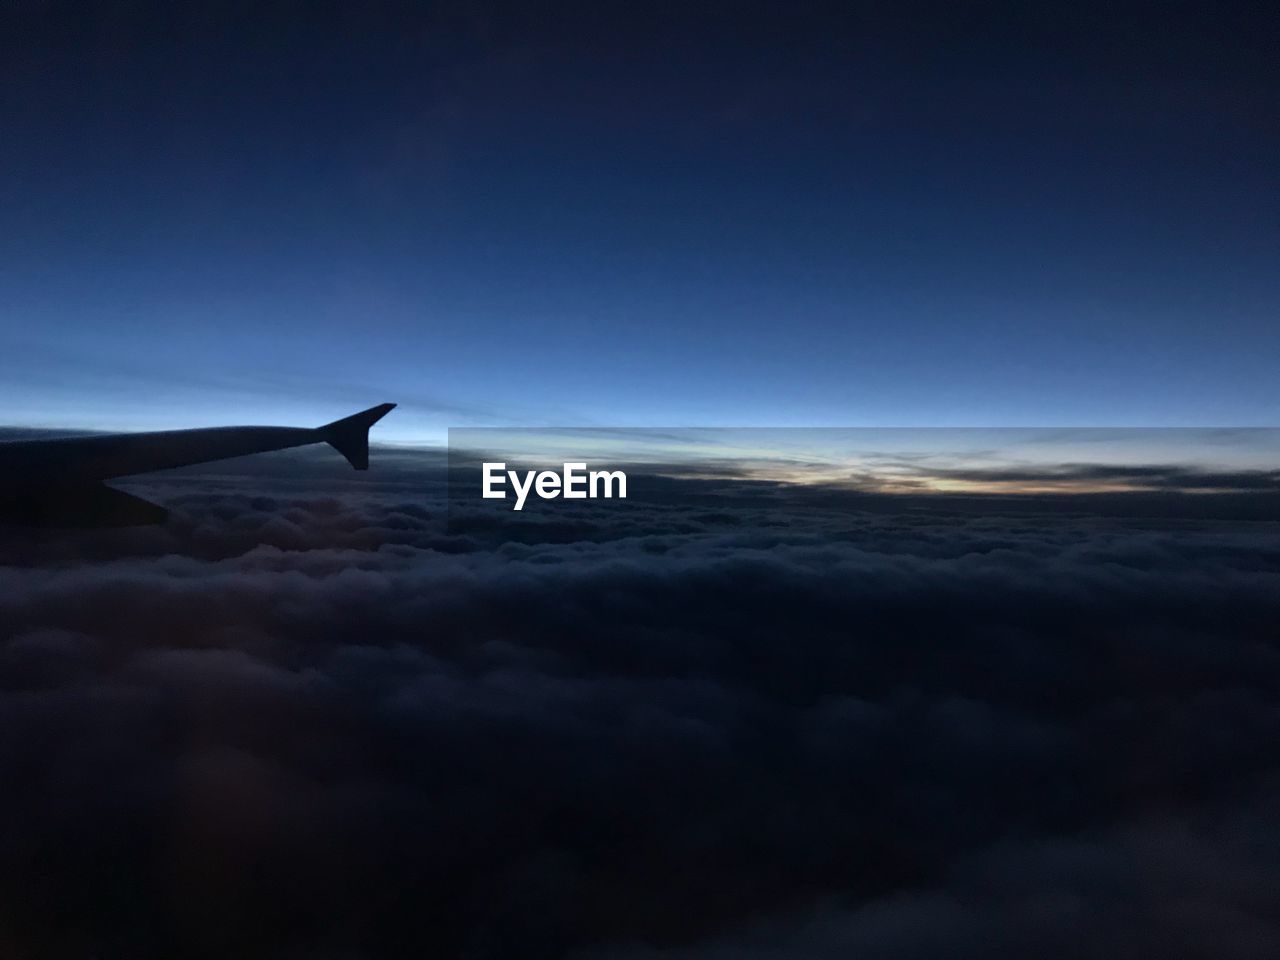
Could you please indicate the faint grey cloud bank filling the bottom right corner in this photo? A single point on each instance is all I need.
(1169, 886)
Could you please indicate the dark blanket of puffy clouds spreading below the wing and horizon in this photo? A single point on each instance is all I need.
(313, 720)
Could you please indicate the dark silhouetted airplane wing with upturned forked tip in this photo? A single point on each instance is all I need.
(61, 483)
